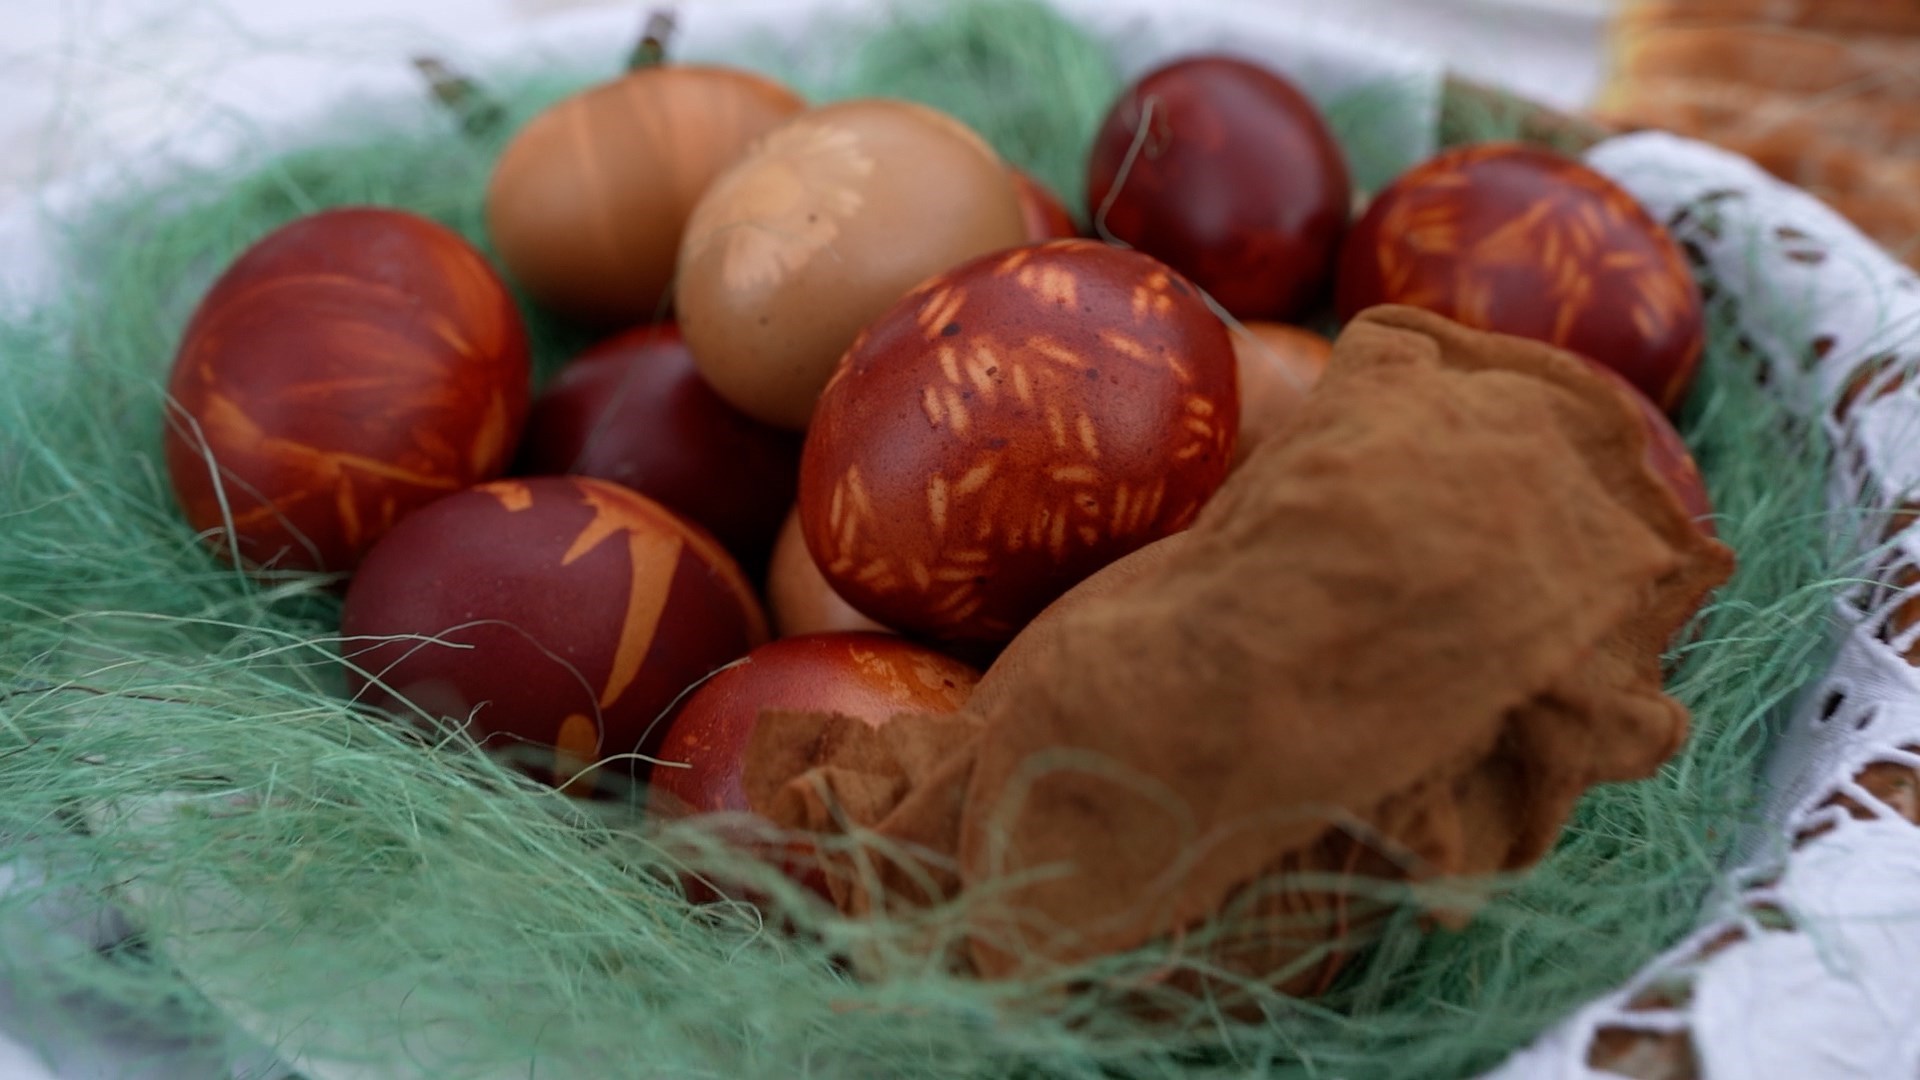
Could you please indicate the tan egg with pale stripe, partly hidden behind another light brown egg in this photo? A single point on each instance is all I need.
(588, 201)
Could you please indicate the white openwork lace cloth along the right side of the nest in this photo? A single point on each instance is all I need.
(1808, 962)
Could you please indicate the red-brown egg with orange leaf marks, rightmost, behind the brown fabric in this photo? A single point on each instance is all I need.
(1518, 239)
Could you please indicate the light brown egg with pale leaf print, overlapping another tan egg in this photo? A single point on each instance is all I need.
(825, 226)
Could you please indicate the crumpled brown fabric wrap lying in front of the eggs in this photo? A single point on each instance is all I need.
(1399, 645)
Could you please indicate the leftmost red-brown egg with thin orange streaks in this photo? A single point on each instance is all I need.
(347, 370)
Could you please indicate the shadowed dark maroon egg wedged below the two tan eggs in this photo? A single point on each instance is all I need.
(633, 410)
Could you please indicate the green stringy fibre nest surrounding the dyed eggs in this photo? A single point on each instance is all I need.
(333, 877)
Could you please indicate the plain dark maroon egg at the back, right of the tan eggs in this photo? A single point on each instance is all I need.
(1228, 174)
